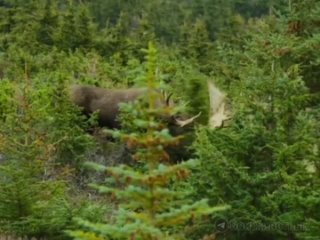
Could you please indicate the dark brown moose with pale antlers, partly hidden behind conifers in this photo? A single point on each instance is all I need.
(107, 102)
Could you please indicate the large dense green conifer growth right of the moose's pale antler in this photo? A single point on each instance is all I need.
(266, 163)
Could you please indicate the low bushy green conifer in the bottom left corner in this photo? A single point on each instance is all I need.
(30, 207)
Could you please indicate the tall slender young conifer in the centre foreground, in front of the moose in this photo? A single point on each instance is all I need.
(149, 208)
